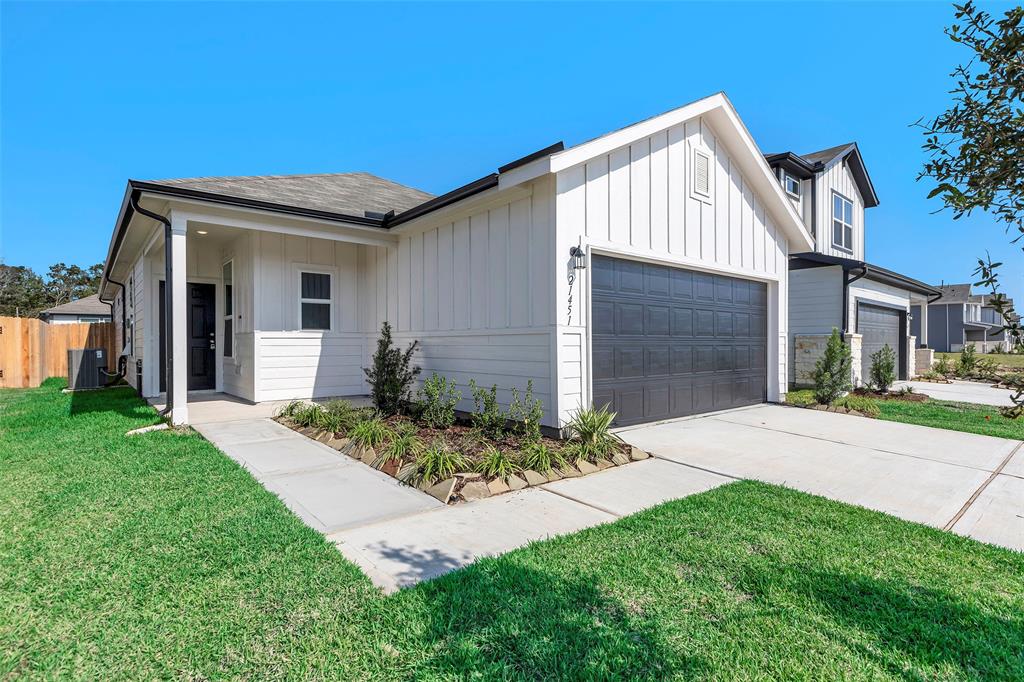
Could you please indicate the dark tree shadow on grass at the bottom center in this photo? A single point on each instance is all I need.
(500, 619)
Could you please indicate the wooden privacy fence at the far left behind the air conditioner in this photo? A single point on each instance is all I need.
(31, 351)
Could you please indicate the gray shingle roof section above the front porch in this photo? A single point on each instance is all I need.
(349, 194)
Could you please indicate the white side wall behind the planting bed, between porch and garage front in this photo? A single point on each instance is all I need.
(475, 290)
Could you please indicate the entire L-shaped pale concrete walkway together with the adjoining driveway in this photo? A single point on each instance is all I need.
(971, 485)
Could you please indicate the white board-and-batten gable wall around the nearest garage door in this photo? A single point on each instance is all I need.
(636, 202)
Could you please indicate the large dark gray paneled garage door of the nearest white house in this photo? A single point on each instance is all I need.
(669, 343)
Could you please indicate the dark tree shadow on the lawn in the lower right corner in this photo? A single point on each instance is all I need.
(907, 623)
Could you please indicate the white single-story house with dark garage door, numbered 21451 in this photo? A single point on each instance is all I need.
(647, 269)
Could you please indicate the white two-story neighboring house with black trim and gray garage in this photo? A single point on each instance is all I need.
(831, 286)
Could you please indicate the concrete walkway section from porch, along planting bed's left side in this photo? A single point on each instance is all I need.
(329, 491)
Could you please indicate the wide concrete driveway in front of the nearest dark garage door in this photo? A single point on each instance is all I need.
(967, 484)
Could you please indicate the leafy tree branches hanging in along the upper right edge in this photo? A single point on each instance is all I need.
(975, 148)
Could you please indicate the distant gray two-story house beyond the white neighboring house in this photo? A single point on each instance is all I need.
(961, 318)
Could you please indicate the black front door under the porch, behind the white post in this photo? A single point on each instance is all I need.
(201, 330)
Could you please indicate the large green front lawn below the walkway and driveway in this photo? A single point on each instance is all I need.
(157, 557)
